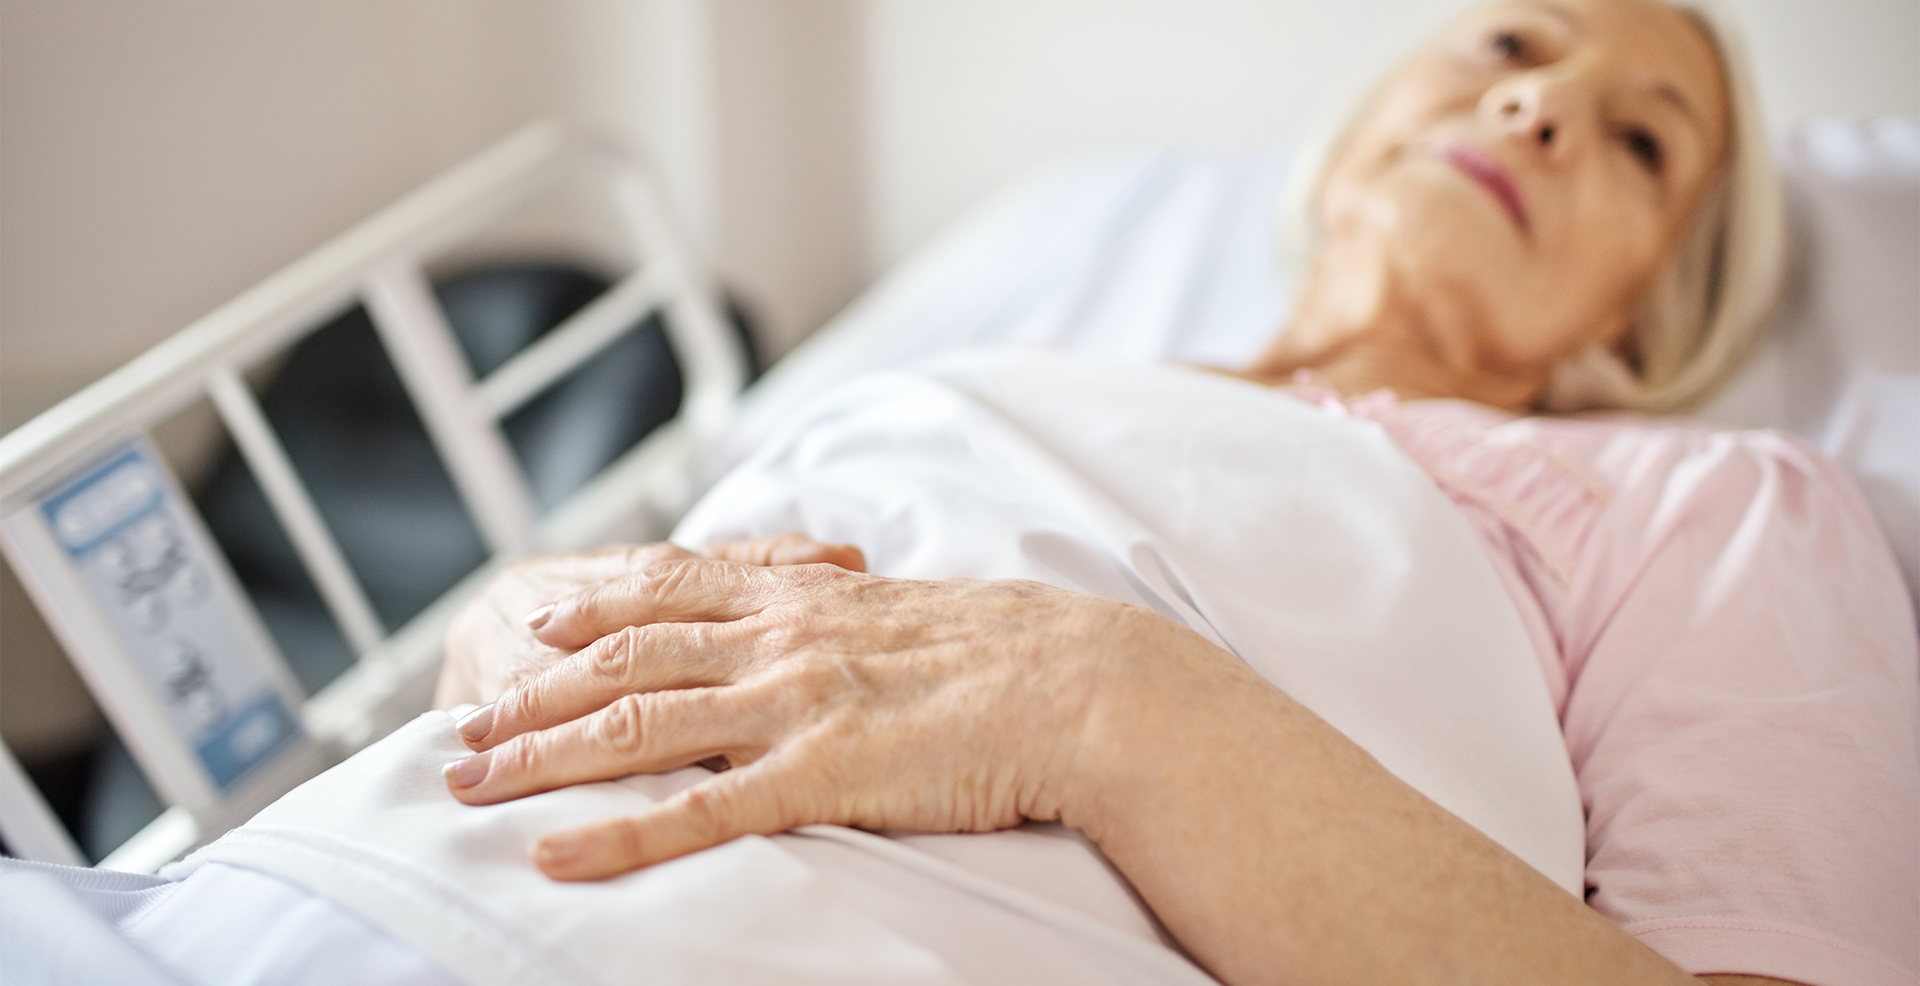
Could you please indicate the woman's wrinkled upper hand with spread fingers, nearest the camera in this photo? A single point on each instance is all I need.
(836, 697)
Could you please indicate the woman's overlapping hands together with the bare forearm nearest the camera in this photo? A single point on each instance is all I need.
(959, 705)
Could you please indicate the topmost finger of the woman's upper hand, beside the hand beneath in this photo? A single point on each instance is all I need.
(675, 592)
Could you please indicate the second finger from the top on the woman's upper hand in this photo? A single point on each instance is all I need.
(633, 661)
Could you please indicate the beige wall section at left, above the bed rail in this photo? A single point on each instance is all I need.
(160, 158)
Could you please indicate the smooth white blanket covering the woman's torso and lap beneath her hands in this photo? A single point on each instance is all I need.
(1303, 542)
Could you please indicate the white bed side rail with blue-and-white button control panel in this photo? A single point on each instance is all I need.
(128, 576)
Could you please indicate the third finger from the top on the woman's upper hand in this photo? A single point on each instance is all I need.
(640, 734)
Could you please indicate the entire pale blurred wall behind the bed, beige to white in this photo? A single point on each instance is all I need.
(160, 156)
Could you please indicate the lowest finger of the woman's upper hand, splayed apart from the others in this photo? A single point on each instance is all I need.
(750, 801)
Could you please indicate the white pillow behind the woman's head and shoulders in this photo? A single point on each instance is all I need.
(1174, 256)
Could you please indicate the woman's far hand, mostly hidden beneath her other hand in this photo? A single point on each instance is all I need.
(491, 646)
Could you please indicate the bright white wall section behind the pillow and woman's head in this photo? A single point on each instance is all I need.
(969, 95)
